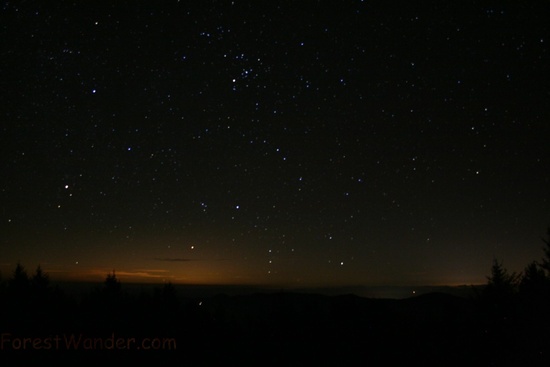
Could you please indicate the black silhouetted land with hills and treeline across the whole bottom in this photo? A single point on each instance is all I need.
(506, 323)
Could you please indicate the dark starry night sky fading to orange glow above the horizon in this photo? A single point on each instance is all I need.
(281, 143)
